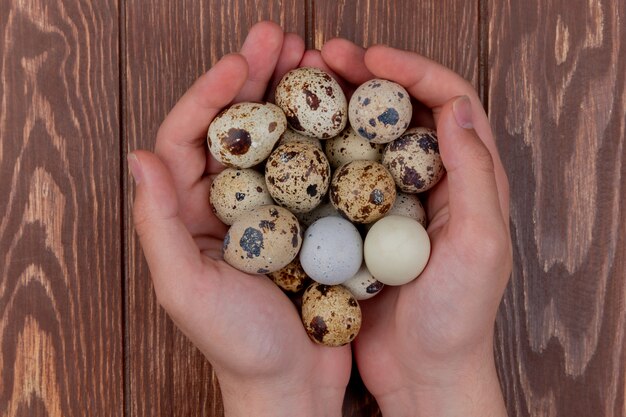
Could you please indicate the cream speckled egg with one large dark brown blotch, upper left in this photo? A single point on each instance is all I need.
(244, 134)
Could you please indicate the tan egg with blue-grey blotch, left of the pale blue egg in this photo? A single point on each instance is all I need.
(265, 240)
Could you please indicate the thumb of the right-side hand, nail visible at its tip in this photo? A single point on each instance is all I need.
(473, 192)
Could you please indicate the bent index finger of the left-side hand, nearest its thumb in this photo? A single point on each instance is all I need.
(180, 142)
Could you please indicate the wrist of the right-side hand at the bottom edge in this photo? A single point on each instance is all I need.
(467, 389)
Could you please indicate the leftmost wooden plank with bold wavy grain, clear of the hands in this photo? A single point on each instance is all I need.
(60, 232)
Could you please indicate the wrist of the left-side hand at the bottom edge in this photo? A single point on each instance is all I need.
(280, 398)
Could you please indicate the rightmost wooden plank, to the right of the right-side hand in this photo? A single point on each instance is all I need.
(558, 107)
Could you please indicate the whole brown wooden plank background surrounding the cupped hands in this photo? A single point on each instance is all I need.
(84, 82)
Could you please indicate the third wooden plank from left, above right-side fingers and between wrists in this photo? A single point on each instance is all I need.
(446, 31)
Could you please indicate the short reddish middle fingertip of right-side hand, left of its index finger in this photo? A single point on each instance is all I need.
(347, 60)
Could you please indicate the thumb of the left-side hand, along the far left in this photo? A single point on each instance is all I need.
(172, 255)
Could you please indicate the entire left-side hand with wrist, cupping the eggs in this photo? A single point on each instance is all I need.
(246, 327)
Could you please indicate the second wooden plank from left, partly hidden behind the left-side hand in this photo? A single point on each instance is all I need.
(168, 45)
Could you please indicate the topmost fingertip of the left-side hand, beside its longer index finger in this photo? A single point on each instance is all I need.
(261, 49)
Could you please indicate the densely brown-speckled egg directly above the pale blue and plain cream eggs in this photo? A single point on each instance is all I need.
(362, 191)
